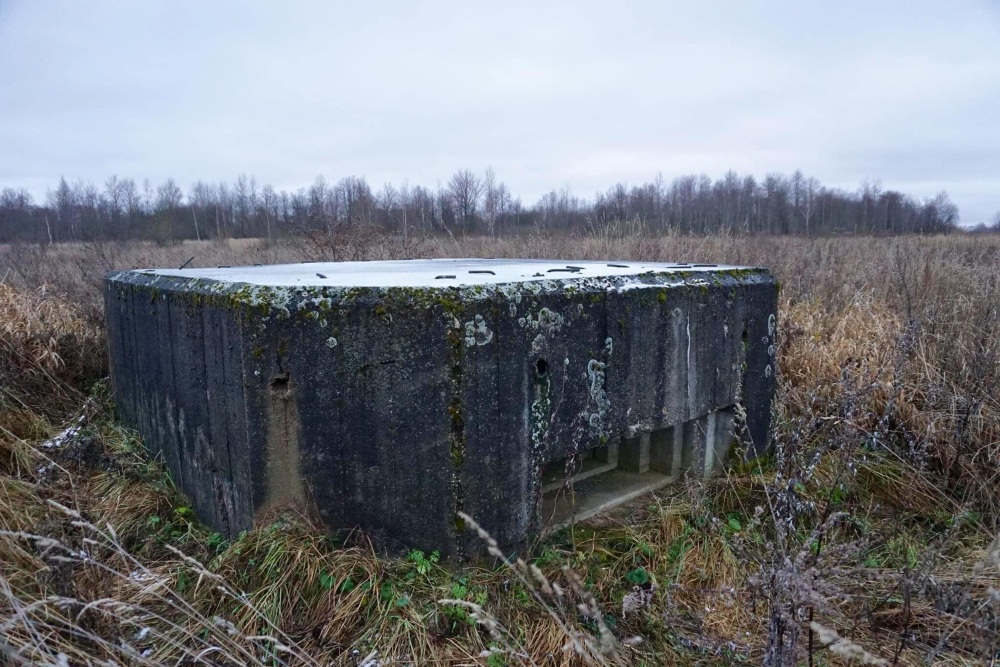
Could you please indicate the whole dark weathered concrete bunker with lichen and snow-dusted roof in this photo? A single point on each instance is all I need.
(391, 395)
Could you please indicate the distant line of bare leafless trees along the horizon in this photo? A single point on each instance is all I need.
(470, 203)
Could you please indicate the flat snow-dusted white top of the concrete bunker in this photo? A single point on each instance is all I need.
(429, 272)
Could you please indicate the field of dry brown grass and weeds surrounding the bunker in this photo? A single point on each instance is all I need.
(868, 537)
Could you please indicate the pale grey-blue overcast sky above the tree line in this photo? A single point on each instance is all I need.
(582, 94)
